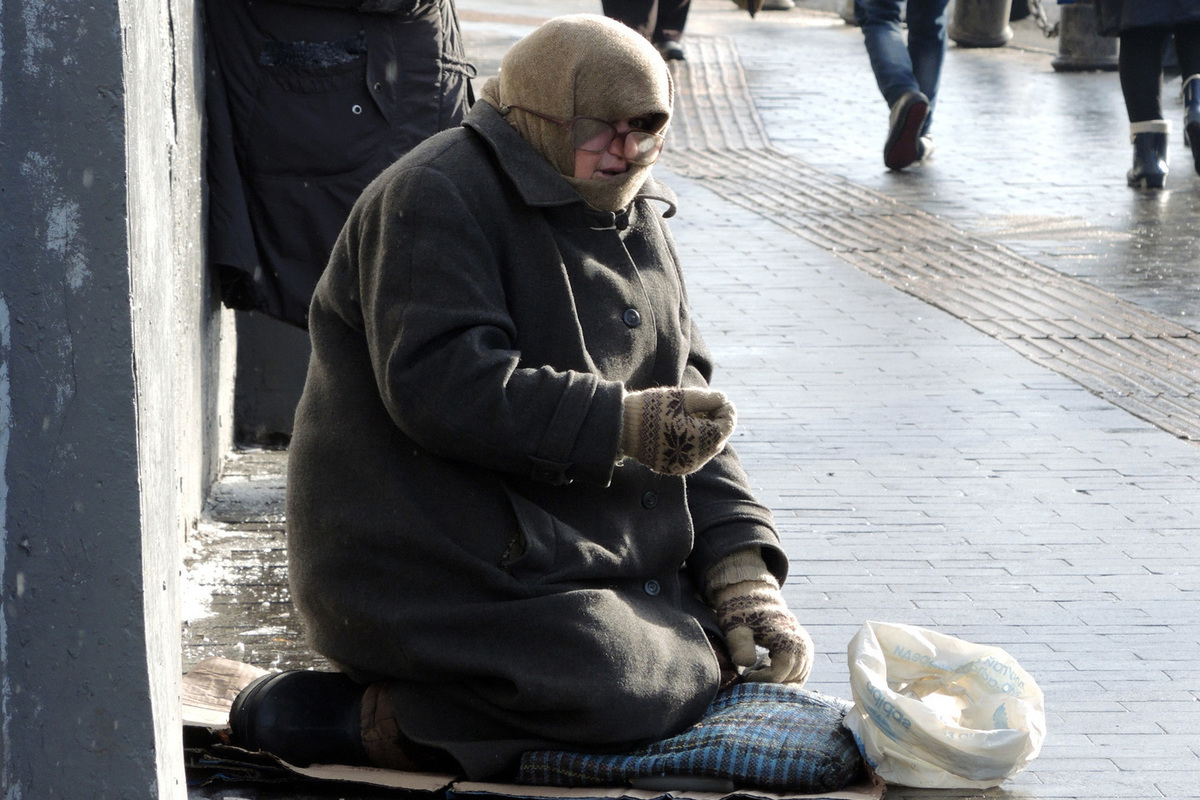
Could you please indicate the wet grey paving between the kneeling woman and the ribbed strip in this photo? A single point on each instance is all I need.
(925, 473)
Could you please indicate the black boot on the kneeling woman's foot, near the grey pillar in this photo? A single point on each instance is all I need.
(303, 718)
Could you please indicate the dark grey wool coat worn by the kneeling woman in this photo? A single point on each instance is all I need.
(457, 522)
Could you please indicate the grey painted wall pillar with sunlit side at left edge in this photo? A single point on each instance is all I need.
(112, 413)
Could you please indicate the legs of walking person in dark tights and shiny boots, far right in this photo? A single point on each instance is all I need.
(1145, 28)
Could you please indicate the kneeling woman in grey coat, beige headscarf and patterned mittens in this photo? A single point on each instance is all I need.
(514, 522)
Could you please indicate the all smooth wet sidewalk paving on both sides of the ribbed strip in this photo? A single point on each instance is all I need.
(922, 471)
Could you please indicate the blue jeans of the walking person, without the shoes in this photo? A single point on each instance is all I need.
(901, 67)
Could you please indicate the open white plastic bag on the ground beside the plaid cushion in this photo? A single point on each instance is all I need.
(935, 712)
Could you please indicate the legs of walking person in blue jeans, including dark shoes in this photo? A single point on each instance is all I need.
(908, 70)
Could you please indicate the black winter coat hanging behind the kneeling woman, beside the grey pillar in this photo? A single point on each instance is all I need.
(305, 107)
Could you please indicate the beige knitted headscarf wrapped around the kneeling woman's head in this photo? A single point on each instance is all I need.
(583, 65)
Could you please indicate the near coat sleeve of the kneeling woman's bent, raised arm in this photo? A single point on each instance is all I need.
(445, 348)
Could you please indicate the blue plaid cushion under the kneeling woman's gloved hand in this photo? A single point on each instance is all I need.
(770, 737)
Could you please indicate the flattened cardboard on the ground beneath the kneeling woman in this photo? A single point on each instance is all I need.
(209, 691)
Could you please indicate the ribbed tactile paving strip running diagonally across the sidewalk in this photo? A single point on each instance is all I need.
(1126, 354)
